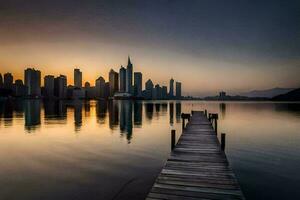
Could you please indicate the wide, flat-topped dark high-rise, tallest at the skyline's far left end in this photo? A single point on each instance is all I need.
(33, 82)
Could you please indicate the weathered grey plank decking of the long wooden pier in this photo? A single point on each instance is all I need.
(197, 167)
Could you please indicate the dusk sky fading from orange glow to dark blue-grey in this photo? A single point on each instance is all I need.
(208, 45)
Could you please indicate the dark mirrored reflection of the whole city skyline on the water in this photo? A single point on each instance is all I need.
(124, 115)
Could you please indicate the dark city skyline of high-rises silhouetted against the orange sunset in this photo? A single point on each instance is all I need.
(127, 84)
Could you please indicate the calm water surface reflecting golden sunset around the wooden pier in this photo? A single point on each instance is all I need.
(100, 150)
